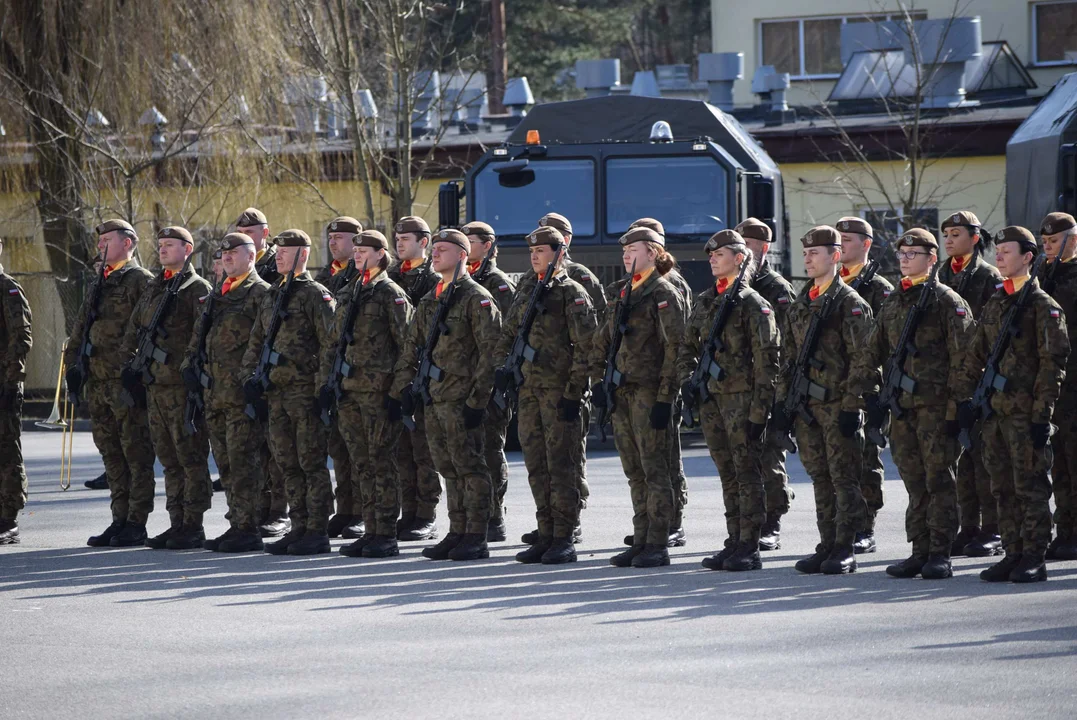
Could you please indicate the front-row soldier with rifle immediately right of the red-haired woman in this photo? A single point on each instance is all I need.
(735, 418)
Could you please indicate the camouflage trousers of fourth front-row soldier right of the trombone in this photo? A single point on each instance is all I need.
(298, 442)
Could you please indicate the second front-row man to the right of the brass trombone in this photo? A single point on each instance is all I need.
(188, 488)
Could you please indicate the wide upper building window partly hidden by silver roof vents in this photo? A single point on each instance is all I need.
(812, 47)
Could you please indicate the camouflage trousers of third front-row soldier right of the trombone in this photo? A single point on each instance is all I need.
(237, 443)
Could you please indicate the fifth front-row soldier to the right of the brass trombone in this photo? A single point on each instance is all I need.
(372, 420)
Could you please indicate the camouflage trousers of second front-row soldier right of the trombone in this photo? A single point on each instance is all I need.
(189, 491)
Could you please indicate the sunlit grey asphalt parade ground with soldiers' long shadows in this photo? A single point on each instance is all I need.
(137, 633)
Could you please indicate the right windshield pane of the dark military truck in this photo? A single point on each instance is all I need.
(688, 195)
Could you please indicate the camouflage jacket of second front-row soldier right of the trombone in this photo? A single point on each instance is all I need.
(176, 327)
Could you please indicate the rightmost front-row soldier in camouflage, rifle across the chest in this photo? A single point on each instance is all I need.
(1017, 435)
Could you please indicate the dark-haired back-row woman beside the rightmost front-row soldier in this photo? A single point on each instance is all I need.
(975, 280)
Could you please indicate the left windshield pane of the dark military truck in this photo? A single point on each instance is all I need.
(565, 187)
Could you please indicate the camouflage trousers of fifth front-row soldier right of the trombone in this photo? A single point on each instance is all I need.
(372, 443)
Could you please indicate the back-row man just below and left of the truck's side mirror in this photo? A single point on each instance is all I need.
(421, 488)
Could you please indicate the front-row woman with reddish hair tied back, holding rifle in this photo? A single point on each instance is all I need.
(642, 406)
